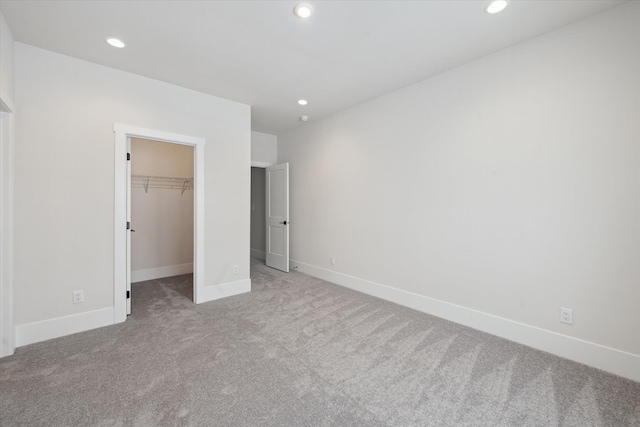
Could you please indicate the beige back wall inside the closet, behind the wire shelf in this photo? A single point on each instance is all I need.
(162, 245)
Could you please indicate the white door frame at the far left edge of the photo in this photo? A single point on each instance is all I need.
(7, 321)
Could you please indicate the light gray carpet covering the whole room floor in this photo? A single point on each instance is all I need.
(298, 351)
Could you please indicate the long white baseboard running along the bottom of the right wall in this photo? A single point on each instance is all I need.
(595, 355)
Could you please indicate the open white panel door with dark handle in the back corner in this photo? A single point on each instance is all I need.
(277, 207)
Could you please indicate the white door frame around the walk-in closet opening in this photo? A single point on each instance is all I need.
(121, 273)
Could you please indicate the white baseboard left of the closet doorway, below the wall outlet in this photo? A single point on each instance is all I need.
(30, 333)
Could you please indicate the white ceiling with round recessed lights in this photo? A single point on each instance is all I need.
(259, 53)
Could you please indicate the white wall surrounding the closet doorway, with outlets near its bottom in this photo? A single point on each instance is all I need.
(64, 161)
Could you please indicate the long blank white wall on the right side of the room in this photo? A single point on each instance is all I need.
(508, 186)
